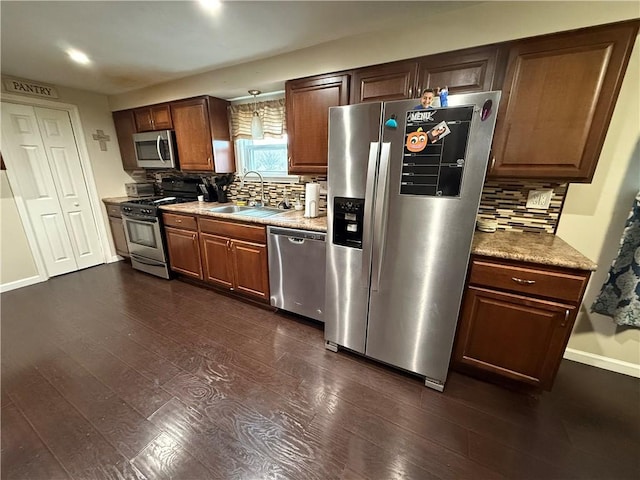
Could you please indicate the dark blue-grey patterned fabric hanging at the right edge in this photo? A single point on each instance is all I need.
(620, 294)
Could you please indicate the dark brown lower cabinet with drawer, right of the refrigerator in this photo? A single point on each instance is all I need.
(516, 320)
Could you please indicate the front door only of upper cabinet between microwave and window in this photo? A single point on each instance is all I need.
(193, 137)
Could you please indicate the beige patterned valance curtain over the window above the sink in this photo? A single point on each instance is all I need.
(271, 113)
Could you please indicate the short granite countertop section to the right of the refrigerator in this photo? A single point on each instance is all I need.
(541, 248)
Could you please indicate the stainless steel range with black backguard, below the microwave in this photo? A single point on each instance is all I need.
(142, 219)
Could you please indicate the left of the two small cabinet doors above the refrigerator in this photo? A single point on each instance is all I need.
(393, 81)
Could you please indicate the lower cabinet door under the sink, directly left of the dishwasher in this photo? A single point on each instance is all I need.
(250, 269)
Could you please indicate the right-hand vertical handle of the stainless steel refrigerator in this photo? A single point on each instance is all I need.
(380, 219)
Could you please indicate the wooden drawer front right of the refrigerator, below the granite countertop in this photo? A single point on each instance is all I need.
(567, 286)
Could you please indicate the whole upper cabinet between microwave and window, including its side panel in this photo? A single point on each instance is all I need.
(201, 126)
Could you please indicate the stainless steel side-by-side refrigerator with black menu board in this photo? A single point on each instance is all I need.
(404, 185)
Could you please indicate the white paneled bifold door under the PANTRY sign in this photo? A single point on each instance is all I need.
(41, 150)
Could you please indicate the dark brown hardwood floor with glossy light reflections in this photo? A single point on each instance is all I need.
(112, 373)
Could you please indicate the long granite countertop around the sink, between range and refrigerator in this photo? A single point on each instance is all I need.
(288, 218)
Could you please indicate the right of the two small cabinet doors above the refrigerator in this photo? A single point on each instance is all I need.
(466, 71)
